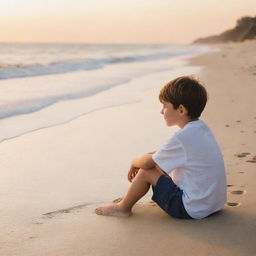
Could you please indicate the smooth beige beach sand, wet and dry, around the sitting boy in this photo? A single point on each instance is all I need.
(52, 179)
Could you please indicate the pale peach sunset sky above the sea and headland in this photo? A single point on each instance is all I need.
(118, 21)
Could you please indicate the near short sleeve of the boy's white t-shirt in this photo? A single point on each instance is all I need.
(170, 156)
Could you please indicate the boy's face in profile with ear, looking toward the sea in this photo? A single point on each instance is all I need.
(172, 116)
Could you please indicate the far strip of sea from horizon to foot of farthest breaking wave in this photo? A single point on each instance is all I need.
(26, 60)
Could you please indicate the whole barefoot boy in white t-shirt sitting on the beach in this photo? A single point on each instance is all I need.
(196, 186)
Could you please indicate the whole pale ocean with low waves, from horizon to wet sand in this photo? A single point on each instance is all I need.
(43, 85)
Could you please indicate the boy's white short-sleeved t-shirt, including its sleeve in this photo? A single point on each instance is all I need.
(195, 163)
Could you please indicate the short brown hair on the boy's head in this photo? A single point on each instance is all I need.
(186, 91)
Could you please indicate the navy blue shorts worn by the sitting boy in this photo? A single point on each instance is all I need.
(169, 197)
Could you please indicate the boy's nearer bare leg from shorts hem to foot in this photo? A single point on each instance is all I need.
(139, 187)
